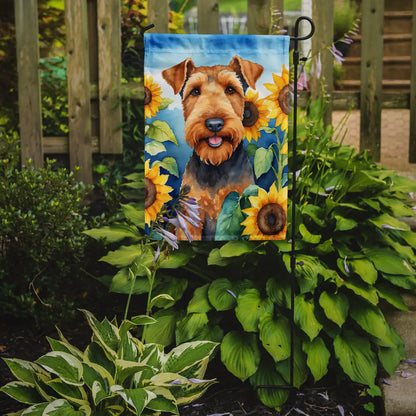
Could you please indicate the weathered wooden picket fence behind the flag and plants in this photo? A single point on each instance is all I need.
(94, 73)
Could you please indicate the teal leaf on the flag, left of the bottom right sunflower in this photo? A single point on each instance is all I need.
(230, 218)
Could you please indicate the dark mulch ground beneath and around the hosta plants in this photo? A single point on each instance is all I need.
(229, 397)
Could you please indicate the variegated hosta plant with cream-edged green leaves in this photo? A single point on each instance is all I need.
(116, 374)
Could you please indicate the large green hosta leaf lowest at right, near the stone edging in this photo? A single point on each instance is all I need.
(356, 357)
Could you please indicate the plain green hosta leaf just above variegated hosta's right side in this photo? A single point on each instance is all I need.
(163, 331)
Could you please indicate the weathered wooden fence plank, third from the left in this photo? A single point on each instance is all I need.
(109, 84)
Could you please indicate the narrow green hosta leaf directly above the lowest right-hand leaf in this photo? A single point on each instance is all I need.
(371, 319)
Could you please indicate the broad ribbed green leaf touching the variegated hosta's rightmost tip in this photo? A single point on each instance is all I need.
(240, 354)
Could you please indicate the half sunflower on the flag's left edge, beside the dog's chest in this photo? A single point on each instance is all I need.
(157, 193)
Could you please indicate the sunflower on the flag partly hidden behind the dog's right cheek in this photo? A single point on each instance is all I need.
(255, 115)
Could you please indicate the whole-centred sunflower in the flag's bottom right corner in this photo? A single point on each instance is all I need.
(267, 216)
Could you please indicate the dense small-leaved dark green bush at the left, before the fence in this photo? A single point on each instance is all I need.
(41, 224)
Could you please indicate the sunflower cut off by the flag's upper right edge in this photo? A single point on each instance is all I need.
(279, 99)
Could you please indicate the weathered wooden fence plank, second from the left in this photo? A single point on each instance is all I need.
(79, 106)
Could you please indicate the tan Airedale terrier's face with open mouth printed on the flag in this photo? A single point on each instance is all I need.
(213, 104)
